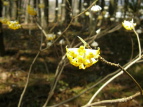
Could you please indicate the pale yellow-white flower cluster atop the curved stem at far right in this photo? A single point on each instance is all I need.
(128, 25)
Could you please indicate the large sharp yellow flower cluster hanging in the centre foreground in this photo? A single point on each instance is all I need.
(81, 57)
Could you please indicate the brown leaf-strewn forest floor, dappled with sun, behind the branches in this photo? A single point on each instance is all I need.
(21, 48)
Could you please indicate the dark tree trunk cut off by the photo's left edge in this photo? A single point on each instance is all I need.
(2, 48)
